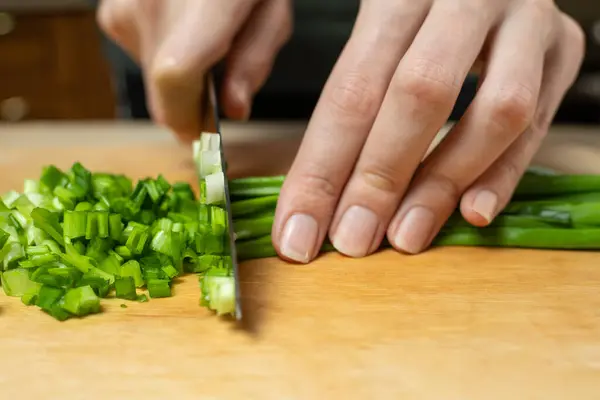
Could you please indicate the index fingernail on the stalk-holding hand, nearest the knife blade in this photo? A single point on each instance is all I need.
(299, 238)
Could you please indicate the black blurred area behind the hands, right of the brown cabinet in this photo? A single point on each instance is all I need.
(322, 28)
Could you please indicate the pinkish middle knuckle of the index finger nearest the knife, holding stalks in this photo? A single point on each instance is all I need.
(354, 95)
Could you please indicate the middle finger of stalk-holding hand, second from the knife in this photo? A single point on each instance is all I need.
(418, 102)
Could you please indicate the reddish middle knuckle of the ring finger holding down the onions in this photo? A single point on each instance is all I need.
(513, 108)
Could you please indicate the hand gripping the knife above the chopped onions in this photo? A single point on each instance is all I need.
(177, 41)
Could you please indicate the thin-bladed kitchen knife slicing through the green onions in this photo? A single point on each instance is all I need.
(211, 123)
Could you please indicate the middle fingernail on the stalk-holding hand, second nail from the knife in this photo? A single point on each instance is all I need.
(355, 232)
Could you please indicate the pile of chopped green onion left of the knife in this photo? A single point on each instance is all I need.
(73, 237)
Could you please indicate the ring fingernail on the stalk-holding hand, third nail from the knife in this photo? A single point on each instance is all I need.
(415, 229)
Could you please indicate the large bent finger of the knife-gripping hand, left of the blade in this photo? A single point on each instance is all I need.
(200, 37)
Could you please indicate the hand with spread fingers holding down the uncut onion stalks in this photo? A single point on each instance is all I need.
(360, 174)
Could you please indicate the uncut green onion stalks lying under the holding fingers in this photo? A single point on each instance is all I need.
(547, 211)
